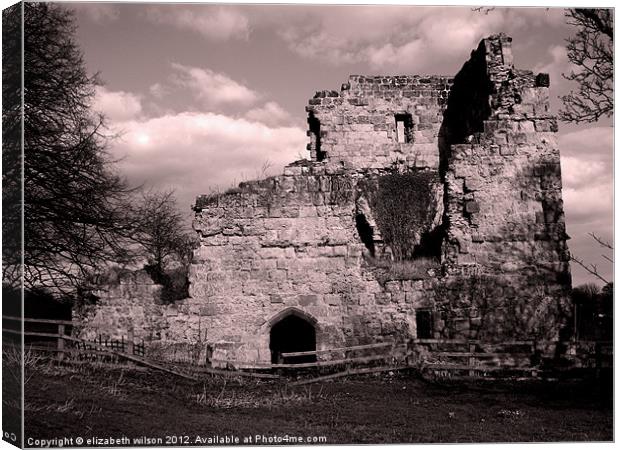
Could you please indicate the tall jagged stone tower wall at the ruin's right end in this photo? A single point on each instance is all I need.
(503, 203)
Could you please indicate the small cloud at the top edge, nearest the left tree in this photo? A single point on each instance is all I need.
(213, 23)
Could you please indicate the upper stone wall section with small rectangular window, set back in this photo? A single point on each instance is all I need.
(374, 121)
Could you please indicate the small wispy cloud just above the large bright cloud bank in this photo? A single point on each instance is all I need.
(213, 88)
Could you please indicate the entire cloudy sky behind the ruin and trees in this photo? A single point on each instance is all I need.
(206, 96)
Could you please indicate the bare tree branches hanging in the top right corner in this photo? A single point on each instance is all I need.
(591, 50)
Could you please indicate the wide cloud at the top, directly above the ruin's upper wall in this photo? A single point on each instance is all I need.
(411, 39)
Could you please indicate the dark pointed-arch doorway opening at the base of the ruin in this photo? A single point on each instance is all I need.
(292, 334)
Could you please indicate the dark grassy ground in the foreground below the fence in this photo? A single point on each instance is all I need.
(71, 402)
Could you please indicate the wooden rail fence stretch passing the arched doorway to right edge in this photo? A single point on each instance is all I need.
(448, 357)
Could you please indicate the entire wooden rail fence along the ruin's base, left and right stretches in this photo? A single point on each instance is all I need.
(448, 357)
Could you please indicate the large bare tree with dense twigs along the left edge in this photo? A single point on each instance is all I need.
(74, 201)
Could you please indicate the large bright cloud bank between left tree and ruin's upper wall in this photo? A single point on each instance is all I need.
(195, 152)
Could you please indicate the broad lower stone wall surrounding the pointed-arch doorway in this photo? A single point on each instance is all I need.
(289, 241)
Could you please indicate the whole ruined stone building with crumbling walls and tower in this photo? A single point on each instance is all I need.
(308, 242)
